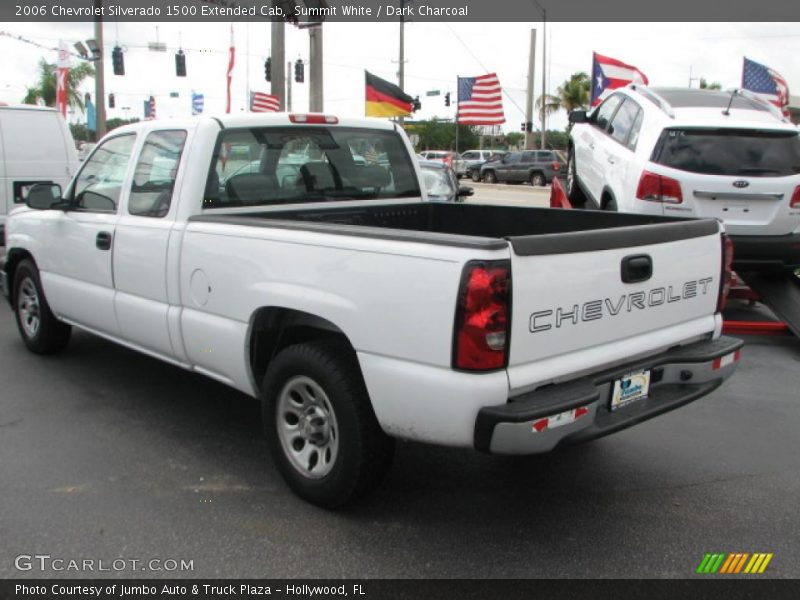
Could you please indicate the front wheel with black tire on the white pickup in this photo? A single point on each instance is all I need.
(41, 331)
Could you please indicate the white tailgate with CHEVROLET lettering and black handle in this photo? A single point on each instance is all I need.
(586, 299)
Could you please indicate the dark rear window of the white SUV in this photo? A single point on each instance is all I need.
(735, 152)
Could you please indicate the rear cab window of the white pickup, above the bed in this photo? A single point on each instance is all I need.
(281, 165)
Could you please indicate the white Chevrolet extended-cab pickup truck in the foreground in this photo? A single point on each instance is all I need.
(269, 253)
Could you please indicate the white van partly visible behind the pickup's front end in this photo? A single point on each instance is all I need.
(35, 146)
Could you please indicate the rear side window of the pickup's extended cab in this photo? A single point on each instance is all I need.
(154, 176)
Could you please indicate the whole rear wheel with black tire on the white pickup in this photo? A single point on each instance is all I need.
(352, 452)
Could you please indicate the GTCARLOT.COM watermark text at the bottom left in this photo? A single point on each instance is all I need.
(47, 563)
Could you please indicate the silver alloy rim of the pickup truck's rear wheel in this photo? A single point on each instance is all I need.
(307, 427)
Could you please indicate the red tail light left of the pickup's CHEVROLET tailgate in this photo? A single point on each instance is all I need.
(482, 317)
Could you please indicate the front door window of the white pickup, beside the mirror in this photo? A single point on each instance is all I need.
(100, 181)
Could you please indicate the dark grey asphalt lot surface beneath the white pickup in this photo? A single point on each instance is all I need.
(105, 453)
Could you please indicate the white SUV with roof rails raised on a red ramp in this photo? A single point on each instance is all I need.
(694, 153)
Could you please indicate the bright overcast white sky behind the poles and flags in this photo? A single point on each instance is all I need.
(436, 54)
